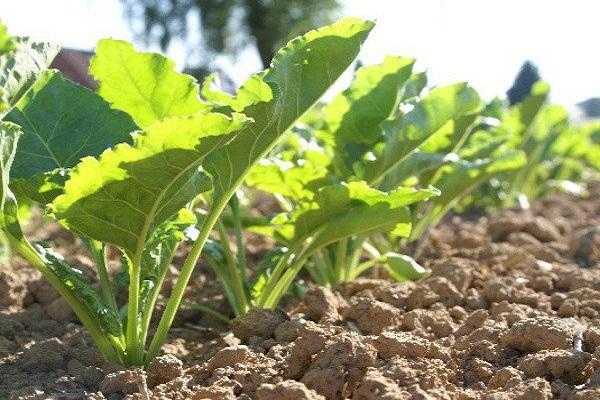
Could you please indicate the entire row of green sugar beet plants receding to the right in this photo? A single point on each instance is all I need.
(151, 160)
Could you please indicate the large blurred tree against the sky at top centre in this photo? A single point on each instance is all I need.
(227, 26)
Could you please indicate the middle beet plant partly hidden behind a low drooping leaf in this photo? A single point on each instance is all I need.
(387, 131)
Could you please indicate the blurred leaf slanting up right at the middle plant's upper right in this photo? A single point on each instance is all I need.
(407, 132)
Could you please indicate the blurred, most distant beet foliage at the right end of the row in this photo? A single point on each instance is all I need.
(559, 155)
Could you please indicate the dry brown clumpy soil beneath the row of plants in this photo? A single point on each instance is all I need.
(511, 311)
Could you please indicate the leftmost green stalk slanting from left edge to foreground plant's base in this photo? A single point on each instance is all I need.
(88, 320)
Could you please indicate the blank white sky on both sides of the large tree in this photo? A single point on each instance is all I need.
(480, 41)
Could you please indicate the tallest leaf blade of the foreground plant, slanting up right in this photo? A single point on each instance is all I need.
(299, 75)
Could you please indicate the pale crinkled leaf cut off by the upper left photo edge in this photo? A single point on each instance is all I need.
(20, 68)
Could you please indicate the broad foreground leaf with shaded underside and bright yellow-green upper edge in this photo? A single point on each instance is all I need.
(122, 196)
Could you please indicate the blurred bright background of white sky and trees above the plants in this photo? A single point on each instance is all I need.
(500, 46)
